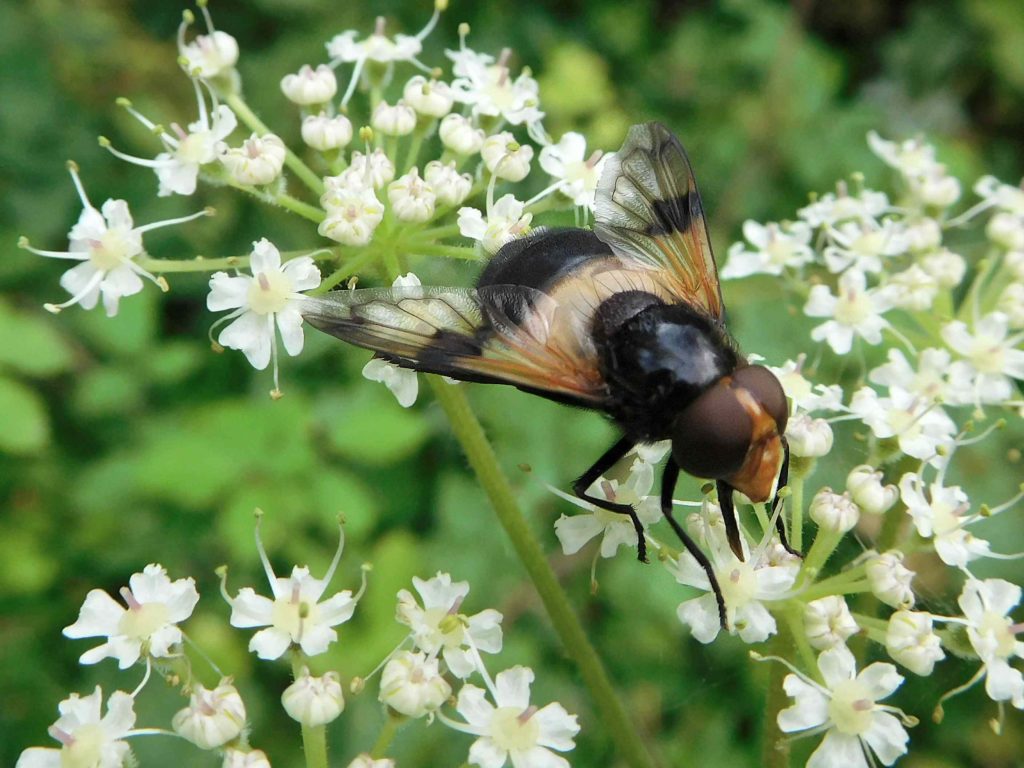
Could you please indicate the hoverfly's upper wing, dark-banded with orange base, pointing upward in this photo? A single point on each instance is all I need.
(650, 212)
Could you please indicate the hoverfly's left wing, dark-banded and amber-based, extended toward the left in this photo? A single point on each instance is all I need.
(498, 334)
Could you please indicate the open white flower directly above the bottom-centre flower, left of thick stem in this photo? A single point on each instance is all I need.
(439, 626)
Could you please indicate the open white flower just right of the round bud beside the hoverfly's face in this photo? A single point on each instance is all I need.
(919, 425)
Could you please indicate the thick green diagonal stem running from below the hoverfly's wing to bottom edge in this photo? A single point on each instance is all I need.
(485, 463)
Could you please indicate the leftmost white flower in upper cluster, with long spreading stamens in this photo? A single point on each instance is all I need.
(107, 243)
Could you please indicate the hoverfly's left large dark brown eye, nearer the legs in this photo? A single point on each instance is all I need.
(711, 438)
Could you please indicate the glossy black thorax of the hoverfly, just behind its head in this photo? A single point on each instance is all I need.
(657, 359)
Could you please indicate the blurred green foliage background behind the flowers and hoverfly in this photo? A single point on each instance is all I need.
(125, 442)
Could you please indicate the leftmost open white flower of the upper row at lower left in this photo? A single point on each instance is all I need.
(147, 627)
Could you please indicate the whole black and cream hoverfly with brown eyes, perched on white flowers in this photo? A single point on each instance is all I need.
(626, 319)
